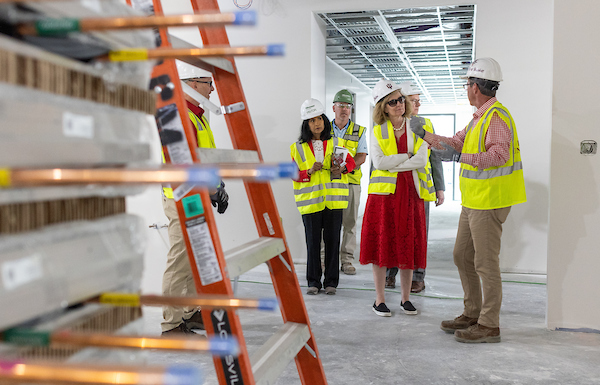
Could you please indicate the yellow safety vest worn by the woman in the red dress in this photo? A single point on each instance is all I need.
(383, 181)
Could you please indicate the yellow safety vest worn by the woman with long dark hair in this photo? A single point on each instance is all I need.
(321, 191)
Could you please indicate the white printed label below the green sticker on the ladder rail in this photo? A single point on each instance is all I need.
(204, 251)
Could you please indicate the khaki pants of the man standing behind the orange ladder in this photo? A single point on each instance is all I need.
(177, 279)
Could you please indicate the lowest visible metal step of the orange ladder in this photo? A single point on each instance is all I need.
(273, 357)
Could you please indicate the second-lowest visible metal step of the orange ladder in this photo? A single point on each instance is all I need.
(249, 255)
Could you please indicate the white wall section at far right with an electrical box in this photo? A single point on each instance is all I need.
(573, 257)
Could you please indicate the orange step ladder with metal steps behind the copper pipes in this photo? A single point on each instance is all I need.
(211, 267)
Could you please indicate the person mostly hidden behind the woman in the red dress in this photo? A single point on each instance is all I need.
(434, 167)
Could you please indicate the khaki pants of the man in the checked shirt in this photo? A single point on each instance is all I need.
(476, 256)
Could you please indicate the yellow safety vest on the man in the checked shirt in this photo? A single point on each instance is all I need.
(494, 187)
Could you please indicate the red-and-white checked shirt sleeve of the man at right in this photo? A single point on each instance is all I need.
(497, 146)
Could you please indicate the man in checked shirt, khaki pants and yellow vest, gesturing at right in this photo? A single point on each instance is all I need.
(491, 181)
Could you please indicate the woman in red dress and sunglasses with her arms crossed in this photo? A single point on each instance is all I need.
(393, 229)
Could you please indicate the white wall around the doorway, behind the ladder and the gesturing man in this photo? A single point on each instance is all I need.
(516, 33)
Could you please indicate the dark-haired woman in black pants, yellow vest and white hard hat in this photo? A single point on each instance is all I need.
(321, 193)
